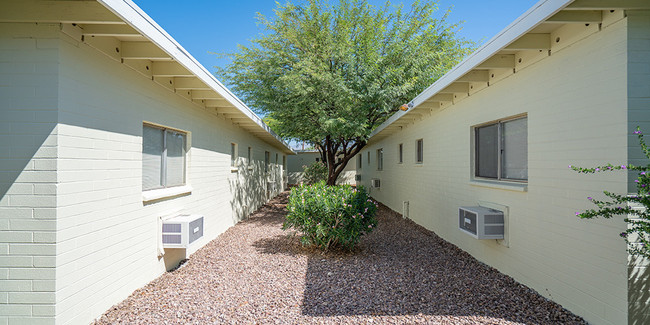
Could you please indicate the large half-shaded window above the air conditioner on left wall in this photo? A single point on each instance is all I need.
(163, 157)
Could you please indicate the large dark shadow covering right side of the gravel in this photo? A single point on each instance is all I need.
(403, 269)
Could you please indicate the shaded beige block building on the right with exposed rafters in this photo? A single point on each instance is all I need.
(565, 84)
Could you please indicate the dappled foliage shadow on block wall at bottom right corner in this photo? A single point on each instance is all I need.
(638, 291)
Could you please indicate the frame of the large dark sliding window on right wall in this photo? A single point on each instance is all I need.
(500, 150)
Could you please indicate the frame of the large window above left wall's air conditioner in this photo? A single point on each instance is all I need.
(164, 158)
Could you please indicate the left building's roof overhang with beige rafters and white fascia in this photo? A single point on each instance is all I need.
(125, 33)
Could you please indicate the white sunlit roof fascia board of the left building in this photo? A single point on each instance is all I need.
(139, 20)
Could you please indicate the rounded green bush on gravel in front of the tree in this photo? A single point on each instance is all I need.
(330, 216)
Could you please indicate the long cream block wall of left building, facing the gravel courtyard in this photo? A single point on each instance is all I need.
(106, 235)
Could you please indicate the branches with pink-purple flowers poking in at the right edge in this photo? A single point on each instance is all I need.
(637, 235)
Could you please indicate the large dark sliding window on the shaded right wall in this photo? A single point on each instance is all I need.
(501, 150)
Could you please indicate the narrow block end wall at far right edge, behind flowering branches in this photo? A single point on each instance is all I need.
(638, 115)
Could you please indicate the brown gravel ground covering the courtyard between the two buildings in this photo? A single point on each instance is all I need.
(400, 274)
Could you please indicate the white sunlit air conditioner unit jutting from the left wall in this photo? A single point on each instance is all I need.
(181, 231)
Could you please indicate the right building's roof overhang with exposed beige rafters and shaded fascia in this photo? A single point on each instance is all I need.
(531, 32)
